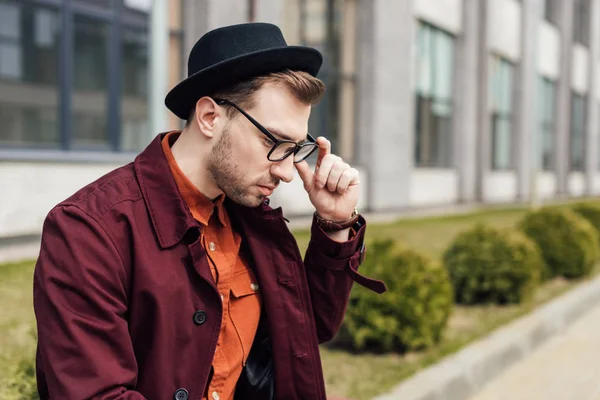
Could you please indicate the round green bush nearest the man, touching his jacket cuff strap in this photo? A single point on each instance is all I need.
(411, 315)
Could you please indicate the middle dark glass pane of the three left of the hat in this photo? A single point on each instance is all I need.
(90, 82)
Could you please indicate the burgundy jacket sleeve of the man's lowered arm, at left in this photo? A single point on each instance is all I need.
(80, 301)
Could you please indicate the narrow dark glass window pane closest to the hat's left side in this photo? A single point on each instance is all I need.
(134, 95)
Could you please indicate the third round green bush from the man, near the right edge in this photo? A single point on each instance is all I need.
(569, 243)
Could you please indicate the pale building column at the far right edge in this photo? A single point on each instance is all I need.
(592, 123)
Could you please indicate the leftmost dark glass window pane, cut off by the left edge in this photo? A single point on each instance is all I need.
(29, 92)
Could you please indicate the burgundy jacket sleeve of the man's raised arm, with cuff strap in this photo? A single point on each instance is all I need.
(331, 268)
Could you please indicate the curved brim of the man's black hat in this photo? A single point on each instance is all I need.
(183, 97)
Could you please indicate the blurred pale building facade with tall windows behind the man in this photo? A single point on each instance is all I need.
(437, 102)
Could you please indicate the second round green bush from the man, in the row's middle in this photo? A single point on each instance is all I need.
(491, 265)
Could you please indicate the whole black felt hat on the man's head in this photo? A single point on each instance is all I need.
(235, 53)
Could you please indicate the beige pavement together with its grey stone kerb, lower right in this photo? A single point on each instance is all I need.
(551, 353)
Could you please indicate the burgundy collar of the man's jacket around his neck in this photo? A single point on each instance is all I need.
(170, 215)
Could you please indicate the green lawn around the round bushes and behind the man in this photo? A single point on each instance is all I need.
(355, 376)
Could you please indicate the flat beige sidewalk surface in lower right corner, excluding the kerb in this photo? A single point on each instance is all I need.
(566, 367)
